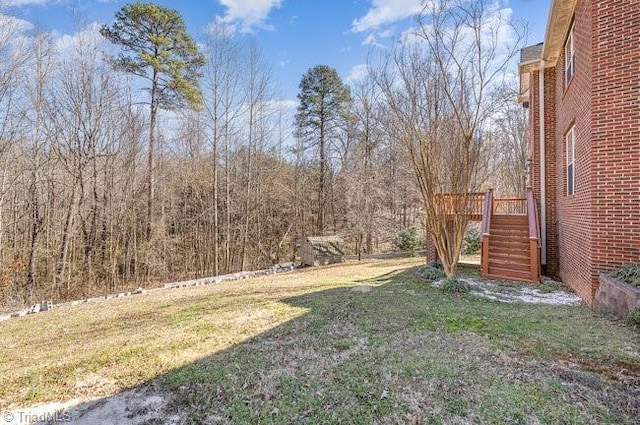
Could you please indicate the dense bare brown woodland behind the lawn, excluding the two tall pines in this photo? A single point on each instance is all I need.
(236, 181)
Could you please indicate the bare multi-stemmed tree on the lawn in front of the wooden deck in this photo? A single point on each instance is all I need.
(439, 86)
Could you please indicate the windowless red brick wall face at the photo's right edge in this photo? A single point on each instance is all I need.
(616, 133)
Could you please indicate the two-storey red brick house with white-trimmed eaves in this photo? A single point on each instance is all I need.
(582, 88)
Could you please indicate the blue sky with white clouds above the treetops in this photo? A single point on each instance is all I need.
(293, 34)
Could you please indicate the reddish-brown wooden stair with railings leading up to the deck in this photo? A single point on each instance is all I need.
(510, 248)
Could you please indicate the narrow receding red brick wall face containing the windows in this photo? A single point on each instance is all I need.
(574, 216)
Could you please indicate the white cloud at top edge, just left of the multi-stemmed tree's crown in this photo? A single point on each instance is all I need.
(384, 12)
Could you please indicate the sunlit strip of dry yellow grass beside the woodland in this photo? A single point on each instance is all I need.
(95, 350)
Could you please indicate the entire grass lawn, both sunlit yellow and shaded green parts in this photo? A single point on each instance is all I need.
(355, 343)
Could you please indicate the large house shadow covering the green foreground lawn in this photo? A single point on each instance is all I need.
(386, 351)
